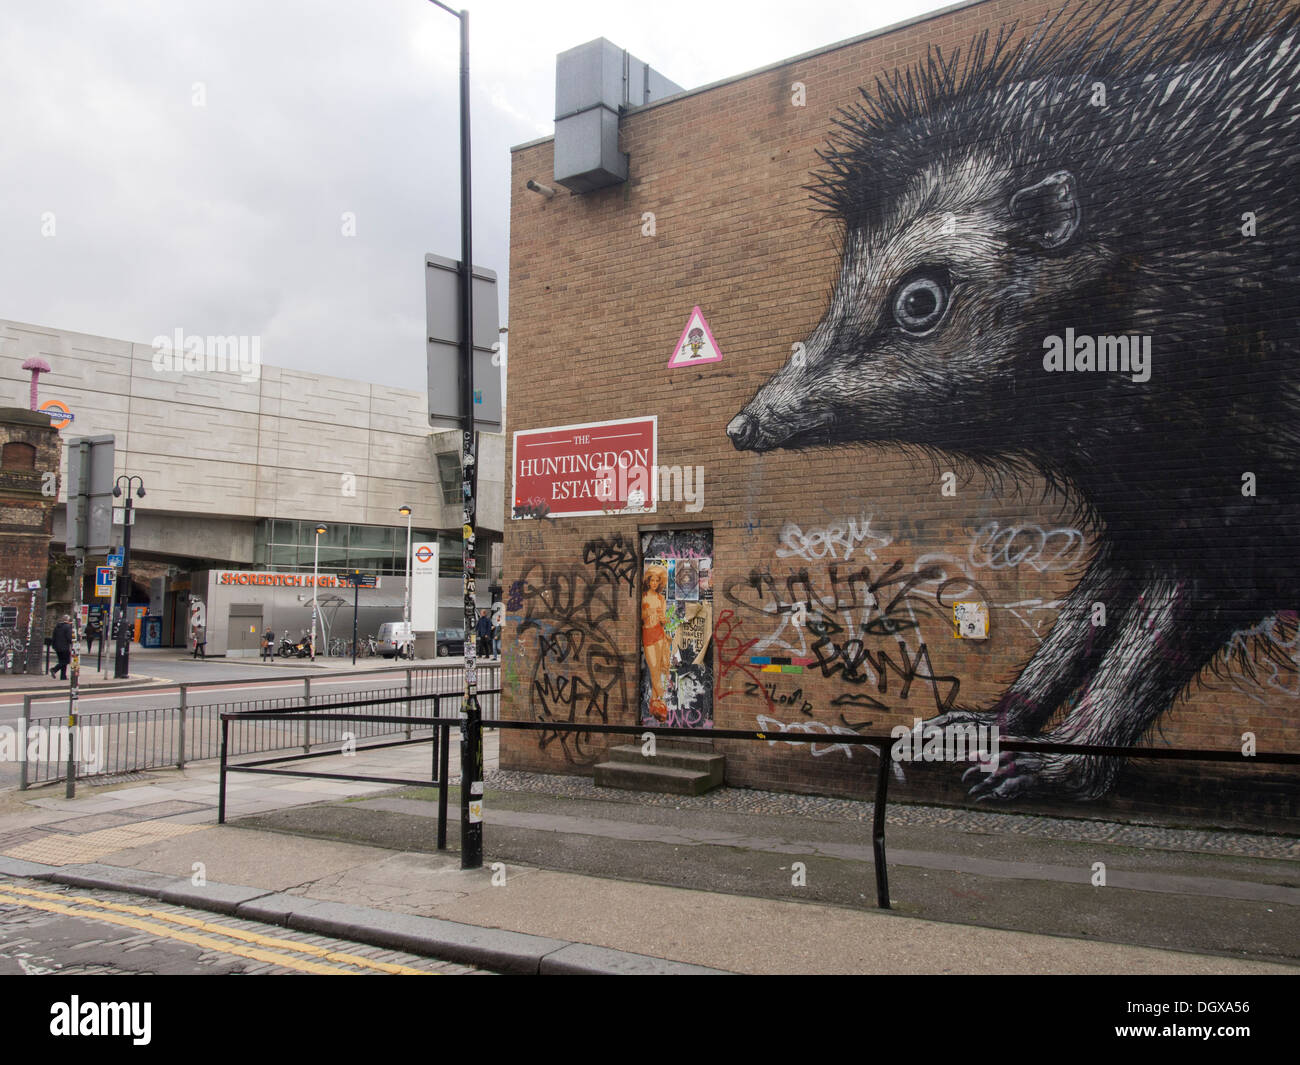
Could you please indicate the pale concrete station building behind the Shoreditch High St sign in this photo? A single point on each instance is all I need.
(240, 467)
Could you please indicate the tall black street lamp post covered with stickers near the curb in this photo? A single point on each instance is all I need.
(471, 735)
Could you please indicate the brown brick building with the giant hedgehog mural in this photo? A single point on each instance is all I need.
(807, 549)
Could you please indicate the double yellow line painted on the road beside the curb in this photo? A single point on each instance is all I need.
(132, 917)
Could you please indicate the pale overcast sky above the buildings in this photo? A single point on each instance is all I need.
(187, 164)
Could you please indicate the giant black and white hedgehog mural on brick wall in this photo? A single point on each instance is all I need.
(1113, 194)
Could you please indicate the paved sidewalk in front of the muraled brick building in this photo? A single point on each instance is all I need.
(583, 880)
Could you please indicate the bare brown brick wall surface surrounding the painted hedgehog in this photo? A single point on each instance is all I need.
(596, 310)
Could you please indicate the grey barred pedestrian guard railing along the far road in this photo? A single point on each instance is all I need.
(189, 730)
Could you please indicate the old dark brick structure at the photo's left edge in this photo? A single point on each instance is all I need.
(29, 490)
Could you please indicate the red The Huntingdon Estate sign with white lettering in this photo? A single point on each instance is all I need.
(578, 471)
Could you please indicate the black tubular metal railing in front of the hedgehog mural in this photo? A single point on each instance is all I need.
(882, 744)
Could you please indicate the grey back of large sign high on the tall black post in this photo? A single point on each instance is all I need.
(443, 322)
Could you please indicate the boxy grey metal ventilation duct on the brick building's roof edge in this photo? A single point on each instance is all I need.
(593, 84)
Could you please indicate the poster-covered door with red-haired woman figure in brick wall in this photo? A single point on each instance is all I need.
(677, 629)
